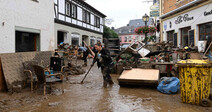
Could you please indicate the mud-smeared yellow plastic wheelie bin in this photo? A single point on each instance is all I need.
(195, 81)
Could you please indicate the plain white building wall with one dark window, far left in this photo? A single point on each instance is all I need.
(26, 25)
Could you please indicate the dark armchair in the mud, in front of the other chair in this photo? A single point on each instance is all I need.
(47, 79)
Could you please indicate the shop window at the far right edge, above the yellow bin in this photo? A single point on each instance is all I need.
(205, 32)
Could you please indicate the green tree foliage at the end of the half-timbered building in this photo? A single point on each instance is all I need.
(108, 33)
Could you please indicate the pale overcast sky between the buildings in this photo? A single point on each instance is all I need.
(121, 11)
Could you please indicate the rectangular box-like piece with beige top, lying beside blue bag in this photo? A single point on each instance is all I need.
(137, 76)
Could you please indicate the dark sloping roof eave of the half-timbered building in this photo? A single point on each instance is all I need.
(81, 2)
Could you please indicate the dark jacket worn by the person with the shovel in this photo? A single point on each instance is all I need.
(105, 60)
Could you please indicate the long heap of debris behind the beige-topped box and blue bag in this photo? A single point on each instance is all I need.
(162, 56)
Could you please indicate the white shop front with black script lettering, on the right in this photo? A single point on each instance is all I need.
(188, 26)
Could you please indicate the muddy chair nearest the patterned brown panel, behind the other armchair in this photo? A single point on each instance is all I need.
(29, 71)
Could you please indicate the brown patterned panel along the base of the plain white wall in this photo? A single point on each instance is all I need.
(12, 66)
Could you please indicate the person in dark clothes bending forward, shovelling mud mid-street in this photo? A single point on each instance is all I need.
(103, 59)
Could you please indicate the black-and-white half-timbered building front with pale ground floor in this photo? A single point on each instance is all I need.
(76, 21)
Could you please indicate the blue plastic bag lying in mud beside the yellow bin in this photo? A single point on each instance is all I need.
(169, 85)
